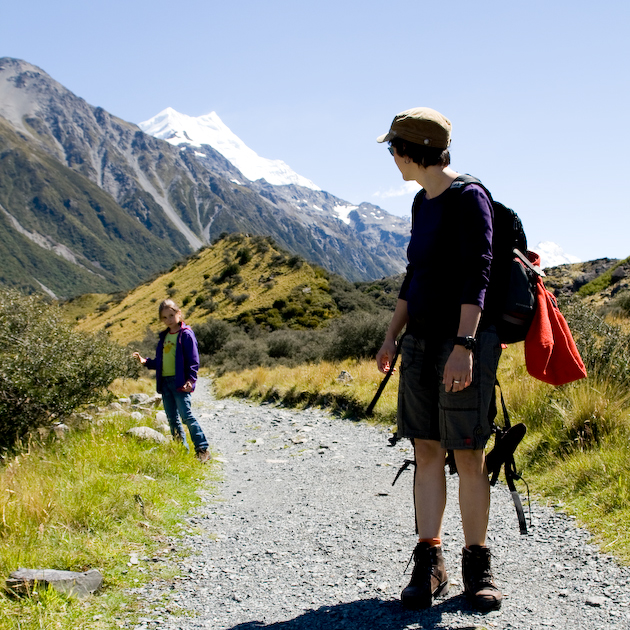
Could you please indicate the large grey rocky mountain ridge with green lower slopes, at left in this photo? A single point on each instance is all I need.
(69, 170)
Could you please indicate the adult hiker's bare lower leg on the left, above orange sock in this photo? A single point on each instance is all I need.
(429, 488)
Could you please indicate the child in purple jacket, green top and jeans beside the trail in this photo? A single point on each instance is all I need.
(176, 363)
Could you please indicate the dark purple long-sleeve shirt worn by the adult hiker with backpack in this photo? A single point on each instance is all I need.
(450, 254)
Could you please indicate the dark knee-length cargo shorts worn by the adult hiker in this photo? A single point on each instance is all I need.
(426, 411)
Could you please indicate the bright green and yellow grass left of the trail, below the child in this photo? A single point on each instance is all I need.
(89, 502)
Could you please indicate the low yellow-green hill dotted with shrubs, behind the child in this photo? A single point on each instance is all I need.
(244, 280)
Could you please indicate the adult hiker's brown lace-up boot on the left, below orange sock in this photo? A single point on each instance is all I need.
(428, 578)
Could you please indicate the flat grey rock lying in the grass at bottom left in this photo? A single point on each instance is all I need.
(25, 581)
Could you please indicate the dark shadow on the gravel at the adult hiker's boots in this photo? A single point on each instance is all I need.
(375, 614)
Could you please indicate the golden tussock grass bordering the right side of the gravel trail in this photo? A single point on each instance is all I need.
(574, 456)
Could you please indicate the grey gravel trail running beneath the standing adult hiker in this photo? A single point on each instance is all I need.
(306, 532)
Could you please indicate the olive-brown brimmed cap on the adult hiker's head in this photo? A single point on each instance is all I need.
(421, 125)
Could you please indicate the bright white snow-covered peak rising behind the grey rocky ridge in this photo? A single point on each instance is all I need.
(180, 129)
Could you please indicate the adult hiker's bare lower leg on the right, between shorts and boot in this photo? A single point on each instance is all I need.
(474, 495)
